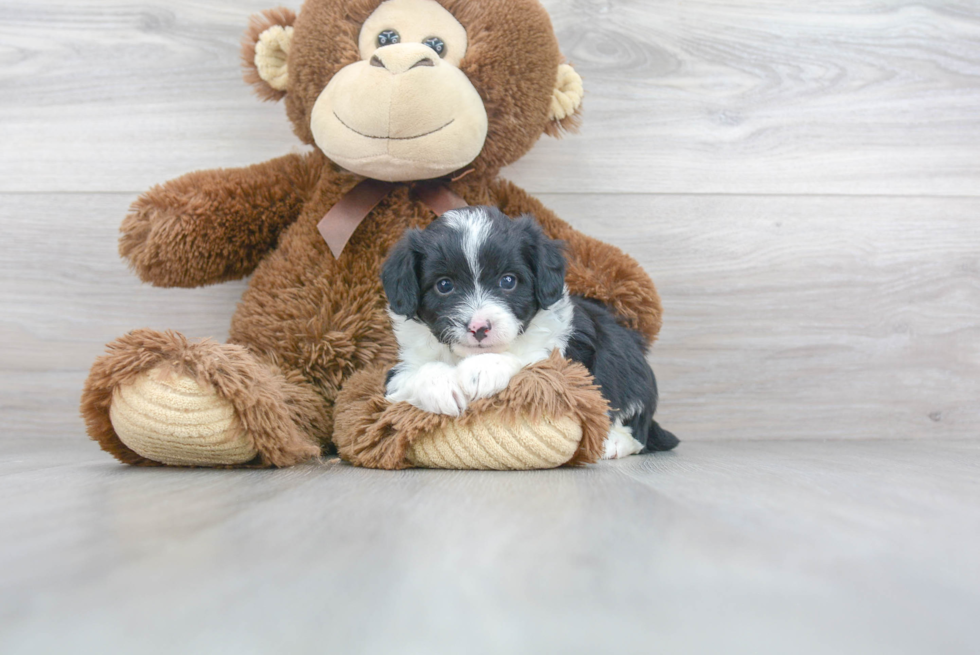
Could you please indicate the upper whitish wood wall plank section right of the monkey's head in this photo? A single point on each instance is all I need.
(769, 97)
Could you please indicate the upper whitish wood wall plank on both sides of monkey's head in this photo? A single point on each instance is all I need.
(862, 97)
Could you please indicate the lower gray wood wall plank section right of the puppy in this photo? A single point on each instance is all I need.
(798, 316)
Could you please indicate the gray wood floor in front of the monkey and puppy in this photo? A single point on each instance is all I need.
(725, 547)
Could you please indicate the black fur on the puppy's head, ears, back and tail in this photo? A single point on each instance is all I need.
(613, 354)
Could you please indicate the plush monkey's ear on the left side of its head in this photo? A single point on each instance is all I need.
(265, 51)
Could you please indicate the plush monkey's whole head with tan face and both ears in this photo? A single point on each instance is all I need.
(403, 90)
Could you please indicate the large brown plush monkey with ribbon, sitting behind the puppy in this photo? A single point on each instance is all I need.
(396, 92)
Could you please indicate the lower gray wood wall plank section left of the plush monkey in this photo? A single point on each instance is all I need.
(65, 293)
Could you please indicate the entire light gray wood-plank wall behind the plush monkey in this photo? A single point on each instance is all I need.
(802, 182)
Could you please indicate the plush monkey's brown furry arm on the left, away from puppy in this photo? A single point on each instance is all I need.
(213, 226)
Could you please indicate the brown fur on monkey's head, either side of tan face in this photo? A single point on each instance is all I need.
(513, 58)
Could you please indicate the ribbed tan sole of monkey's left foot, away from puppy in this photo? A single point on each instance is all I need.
(171, 419)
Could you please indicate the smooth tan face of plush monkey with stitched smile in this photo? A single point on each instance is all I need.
(405, 111)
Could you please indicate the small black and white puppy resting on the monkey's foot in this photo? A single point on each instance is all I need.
(476, 296)
